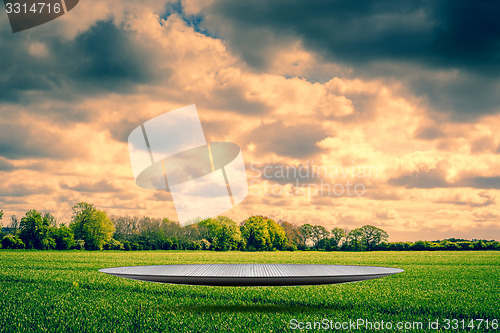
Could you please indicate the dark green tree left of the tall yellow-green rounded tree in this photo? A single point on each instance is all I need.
(35, 230)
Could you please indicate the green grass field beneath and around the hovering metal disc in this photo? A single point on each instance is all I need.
(63, 292)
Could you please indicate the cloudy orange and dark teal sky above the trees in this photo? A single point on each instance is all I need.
(398, 98)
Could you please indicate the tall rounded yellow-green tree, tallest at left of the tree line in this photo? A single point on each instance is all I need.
(91, 225)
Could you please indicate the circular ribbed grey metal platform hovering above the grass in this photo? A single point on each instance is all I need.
(251, 274)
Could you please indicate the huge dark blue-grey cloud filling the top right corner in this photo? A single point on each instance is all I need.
(458, 36)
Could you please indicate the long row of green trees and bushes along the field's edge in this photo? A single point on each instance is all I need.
(93, 229)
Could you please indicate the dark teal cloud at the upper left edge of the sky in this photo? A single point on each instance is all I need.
(103, 58)
